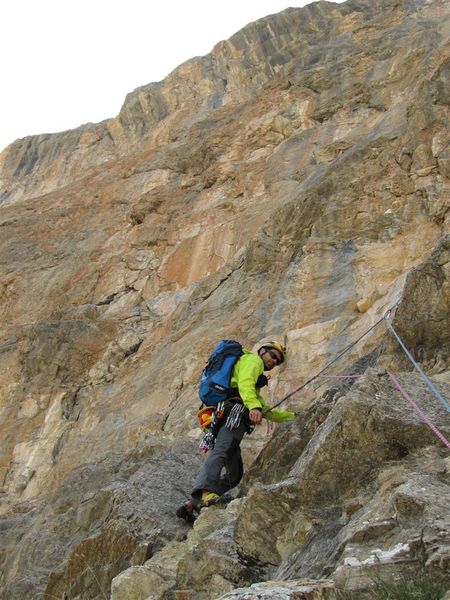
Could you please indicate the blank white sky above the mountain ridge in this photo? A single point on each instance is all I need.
(68, 62)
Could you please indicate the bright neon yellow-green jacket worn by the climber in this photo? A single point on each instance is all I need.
(245, 375)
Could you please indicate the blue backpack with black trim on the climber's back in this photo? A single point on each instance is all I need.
(216, 376)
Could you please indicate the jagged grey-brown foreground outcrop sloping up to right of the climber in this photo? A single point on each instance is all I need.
(356, 488)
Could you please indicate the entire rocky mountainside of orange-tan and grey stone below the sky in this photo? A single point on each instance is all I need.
(293, 183)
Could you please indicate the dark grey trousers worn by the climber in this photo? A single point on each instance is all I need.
(225, 454)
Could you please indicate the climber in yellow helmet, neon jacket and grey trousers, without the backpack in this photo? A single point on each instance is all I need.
(244, 409)
